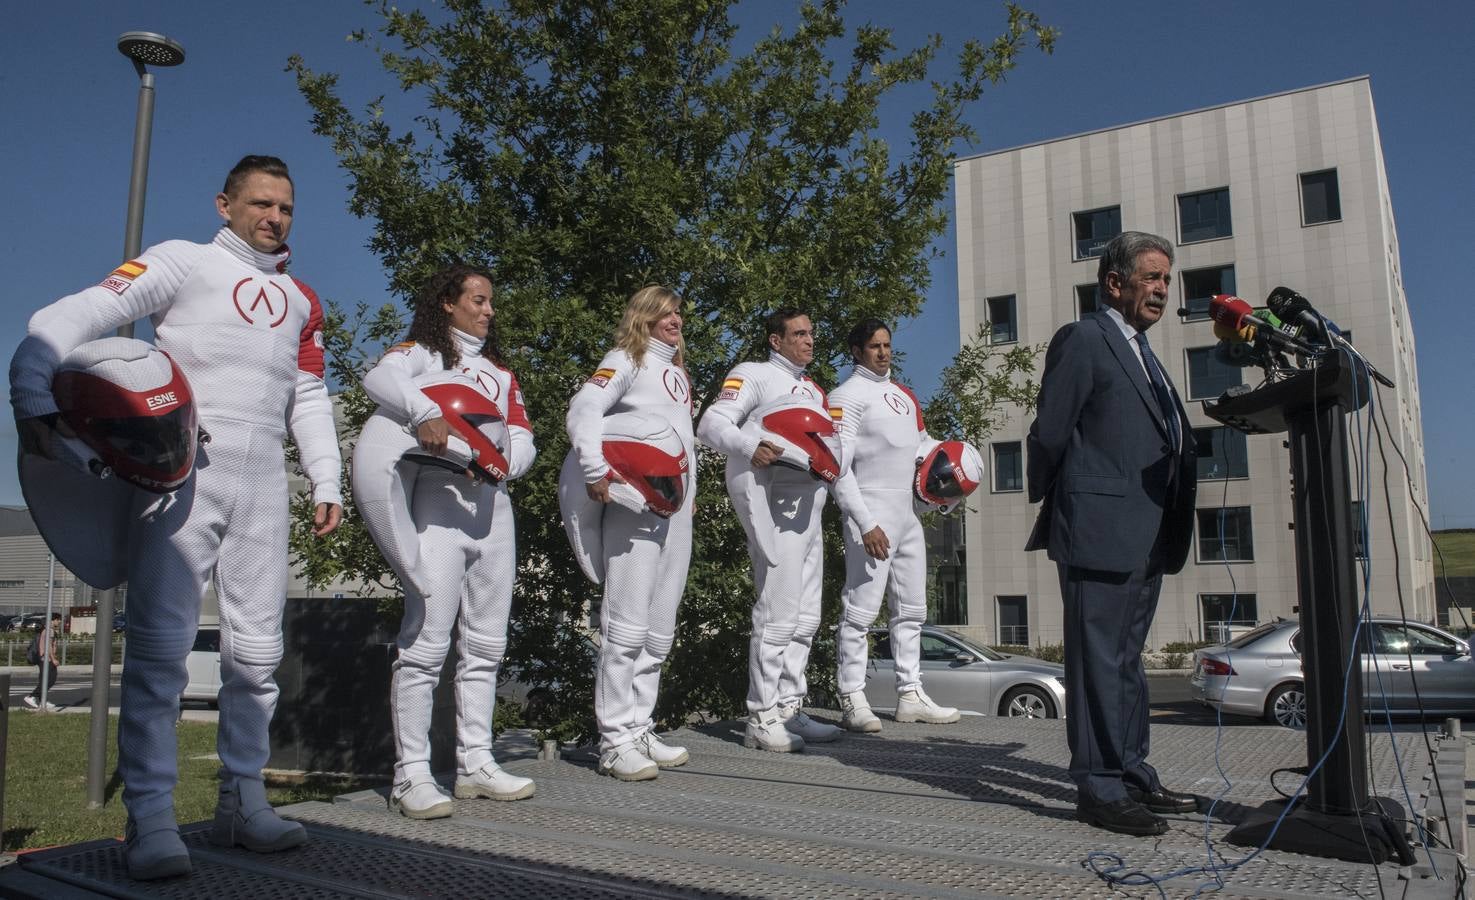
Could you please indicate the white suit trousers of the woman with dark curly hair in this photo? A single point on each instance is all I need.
(468, 555)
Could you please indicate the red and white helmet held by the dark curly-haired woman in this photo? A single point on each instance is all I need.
(479, 439)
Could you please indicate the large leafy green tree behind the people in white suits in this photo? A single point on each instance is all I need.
(585, 150)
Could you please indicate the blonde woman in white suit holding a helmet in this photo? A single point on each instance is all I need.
(638, 408)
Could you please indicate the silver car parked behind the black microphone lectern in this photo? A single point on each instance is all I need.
(1259, 674)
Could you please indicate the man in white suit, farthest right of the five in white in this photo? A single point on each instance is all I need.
(886, 554)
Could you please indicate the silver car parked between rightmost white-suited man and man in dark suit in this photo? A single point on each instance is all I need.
(976, 679)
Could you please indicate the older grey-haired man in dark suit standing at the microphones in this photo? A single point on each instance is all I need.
(1111, 457)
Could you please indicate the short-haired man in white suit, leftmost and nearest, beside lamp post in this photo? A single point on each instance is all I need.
(249, 337)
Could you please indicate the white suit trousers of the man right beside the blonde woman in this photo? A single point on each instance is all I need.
(787, 610)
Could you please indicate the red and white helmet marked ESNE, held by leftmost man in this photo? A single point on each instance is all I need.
(133, 408)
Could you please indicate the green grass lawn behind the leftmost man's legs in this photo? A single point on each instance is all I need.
(46, 781)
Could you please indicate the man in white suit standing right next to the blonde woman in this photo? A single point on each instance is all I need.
(788, 581)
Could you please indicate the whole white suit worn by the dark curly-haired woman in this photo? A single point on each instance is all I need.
(464, 564)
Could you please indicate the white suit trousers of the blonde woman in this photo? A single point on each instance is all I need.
(645, 575)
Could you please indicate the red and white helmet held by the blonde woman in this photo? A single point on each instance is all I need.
(648, 454)
